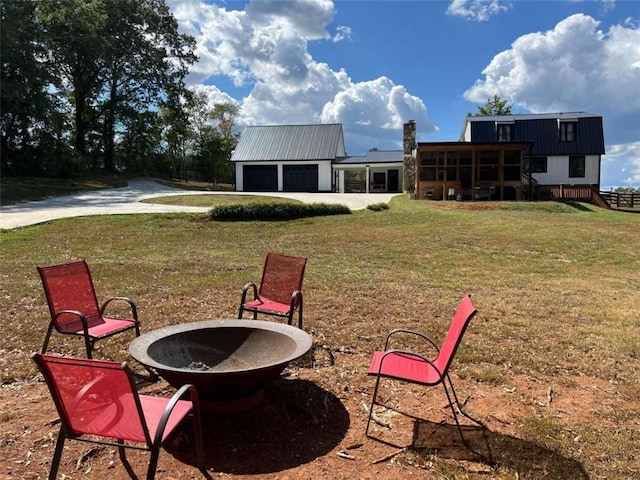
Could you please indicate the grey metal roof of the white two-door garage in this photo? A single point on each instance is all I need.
(290, 142)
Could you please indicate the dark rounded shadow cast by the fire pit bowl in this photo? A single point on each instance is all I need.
(295, 423)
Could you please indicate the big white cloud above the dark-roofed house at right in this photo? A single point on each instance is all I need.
(574, 67)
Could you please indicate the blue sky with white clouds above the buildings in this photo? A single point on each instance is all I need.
(373, 65)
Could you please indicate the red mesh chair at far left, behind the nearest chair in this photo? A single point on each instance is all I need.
(74, 309)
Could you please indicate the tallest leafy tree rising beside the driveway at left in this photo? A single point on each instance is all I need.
(117, 59)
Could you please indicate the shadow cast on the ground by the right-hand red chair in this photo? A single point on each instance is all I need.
(494, 450)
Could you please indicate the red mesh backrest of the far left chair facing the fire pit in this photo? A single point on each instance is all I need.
(69, 287)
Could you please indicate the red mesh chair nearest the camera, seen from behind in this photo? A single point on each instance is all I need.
(98, 403)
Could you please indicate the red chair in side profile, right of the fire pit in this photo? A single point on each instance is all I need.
(422, 368)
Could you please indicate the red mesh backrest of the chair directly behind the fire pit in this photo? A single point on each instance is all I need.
(282, 275)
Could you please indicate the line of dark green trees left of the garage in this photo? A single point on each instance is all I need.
(98, 86)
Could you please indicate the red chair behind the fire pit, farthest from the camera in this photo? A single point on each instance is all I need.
(280, 290)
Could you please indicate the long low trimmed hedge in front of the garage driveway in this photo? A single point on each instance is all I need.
(275, 211)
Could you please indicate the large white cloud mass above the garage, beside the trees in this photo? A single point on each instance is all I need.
(264, 49)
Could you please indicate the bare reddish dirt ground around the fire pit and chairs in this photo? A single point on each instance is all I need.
(311, 424)
